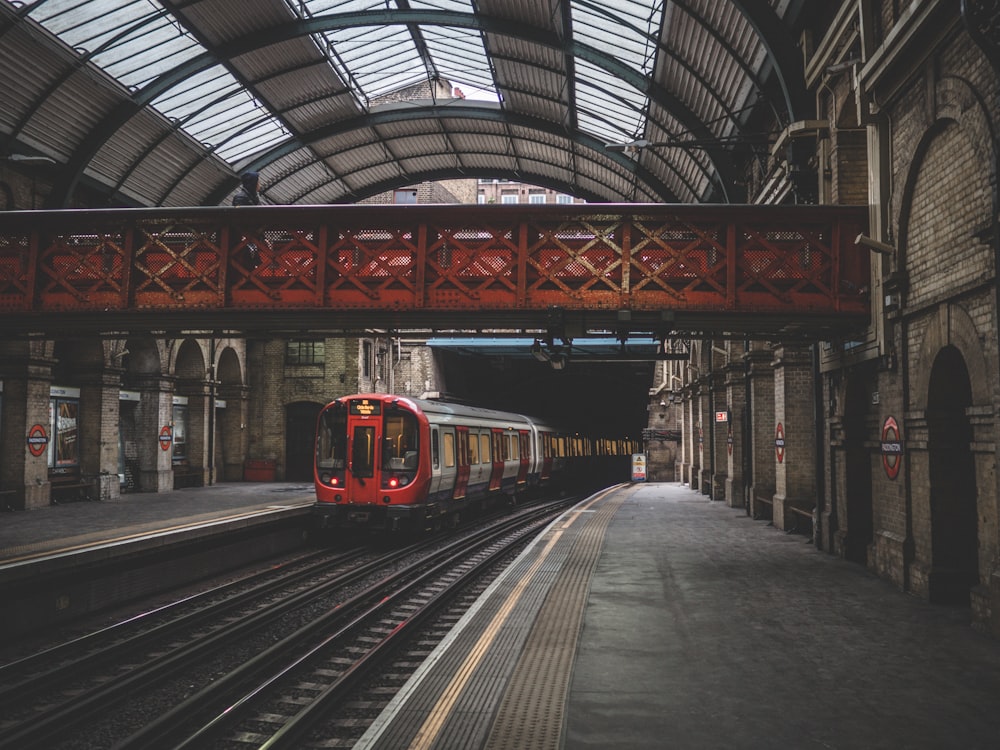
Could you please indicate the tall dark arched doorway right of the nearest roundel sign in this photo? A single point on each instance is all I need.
(953, 492)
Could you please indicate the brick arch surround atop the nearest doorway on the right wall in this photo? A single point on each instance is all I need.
(953, 326)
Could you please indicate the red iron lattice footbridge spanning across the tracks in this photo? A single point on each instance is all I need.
(755, 271)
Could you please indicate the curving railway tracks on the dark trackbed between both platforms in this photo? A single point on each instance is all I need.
(218, 672)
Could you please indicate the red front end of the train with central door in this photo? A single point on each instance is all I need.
(372, 464)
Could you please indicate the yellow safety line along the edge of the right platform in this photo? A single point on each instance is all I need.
(434, 722)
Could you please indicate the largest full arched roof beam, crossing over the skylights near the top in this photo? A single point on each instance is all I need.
(90, 146)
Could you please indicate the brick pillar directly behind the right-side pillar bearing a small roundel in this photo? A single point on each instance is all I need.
(762, 427)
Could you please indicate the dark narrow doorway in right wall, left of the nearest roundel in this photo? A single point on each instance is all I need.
(858, 490)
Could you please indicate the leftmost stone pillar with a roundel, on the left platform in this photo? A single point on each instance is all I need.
(27, 381)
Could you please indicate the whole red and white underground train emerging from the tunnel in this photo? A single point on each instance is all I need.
(390, 463)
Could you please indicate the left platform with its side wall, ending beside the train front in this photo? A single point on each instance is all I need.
(61, 562)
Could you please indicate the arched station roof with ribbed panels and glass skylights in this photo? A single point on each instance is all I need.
(166, 103)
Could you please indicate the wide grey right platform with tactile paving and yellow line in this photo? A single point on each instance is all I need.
(652, 617)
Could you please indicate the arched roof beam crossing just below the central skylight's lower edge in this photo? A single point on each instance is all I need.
(460, 109)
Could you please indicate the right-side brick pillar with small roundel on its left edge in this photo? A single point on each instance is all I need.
(794, 409)
